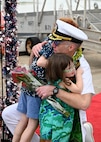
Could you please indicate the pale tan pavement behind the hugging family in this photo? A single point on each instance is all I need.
(93, 58)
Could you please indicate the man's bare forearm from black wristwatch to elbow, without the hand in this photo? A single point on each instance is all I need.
(75, 100)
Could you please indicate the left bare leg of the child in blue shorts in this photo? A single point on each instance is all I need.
(20, 128)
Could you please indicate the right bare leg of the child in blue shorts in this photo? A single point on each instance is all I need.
(29, 131)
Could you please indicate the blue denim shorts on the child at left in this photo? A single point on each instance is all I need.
(29, 105)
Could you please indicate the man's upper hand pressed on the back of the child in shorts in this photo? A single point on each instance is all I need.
(36, 48)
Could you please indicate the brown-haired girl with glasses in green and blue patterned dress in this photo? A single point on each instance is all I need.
(61, 72)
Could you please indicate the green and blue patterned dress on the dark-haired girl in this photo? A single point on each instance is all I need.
(54, 125)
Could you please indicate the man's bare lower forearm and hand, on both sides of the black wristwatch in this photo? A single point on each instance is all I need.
(75, 100)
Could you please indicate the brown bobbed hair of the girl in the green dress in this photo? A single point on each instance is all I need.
(56, 66)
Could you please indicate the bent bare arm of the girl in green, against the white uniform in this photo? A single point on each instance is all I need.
(76, 88)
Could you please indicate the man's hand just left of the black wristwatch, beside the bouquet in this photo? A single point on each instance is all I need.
(45, 91)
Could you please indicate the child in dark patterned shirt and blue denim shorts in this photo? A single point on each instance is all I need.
(29, 102)
